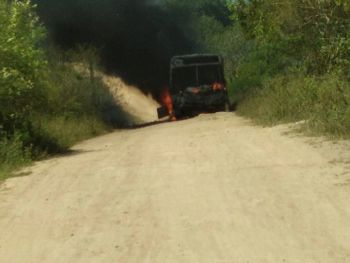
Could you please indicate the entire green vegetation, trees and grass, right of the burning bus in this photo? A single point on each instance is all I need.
(286, 61)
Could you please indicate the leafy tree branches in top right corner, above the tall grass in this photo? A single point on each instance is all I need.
(315, 32)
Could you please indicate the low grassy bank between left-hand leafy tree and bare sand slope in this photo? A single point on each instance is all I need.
(76, 108)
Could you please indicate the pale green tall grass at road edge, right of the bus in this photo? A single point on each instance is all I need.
(323, 102)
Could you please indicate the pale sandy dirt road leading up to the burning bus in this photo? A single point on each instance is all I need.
(211, 189)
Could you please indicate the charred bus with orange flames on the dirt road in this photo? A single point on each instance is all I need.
(197, 85)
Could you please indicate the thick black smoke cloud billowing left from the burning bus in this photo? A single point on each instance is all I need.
(136, 38)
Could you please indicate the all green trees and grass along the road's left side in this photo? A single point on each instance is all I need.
(46, 104)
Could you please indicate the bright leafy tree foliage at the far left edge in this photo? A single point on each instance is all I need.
(21, 61)
